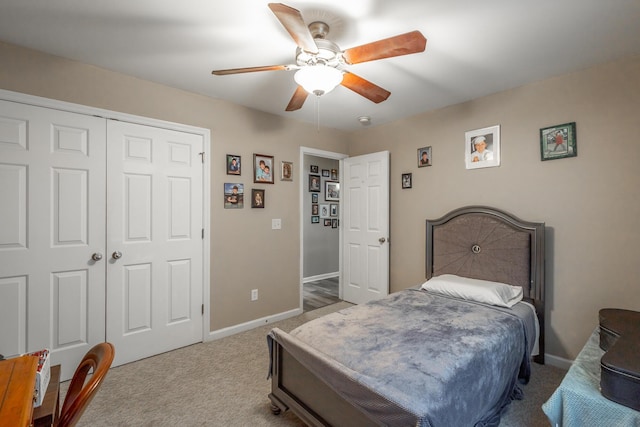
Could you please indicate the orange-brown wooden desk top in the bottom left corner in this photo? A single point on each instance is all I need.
(17, 387)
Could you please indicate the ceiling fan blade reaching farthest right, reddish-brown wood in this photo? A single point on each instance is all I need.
(404, 44)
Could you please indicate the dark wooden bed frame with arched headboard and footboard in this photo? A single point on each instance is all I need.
(475, 241)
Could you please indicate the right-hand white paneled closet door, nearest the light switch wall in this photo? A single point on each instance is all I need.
(155, 243)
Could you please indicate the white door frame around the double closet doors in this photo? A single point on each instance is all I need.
(206, 172)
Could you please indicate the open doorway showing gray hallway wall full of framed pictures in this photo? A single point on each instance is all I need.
(321, 235)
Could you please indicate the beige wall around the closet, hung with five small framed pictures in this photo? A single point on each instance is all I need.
(245, 253)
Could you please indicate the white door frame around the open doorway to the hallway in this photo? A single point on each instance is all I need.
(327, 155)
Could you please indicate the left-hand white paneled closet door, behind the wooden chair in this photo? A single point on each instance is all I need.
(52, 215)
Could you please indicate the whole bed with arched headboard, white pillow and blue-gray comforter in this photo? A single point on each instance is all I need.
(434, 354)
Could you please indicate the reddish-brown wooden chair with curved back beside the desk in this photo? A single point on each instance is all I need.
(79, 394)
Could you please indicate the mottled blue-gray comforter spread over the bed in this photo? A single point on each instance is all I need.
(416, 358)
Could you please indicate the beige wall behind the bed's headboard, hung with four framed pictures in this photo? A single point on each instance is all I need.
(590, 203)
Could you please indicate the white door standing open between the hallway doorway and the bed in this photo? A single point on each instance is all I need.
(365, 219)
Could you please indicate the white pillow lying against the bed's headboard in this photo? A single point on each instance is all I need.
(484, 291)
